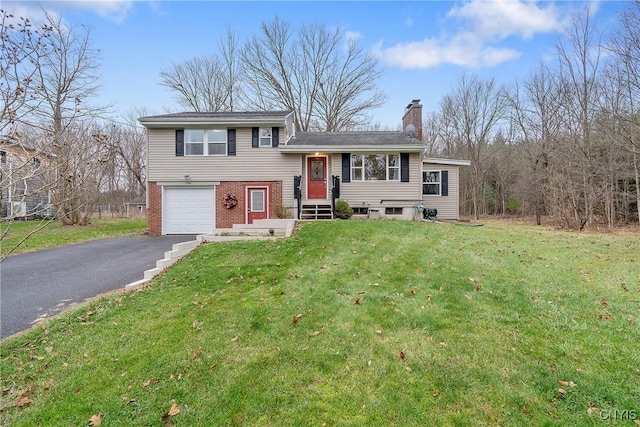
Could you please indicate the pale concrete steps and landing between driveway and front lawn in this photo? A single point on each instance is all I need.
(264, 229)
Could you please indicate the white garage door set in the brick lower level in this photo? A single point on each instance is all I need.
(188, 210)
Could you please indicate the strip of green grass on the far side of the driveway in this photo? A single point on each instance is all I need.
(50, 233)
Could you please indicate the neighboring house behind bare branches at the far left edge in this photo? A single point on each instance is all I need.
(25, 181)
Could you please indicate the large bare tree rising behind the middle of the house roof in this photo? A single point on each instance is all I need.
(326, 80)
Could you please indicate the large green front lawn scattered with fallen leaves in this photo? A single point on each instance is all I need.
(352, 323)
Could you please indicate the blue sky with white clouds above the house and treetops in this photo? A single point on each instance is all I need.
(424, 46)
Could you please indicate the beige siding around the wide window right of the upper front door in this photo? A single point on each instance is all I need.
(381, 194)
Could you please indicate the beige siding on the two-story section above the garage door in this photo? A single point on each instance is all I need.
(249, 164)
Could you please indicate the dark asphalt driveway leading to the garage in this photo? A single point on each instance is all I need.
(40, 284)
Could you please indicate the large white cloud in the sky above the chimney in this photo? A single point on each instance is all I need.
(477, 43)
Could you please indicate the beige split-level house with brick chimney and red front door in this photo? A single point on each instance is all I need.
(213, 170)
